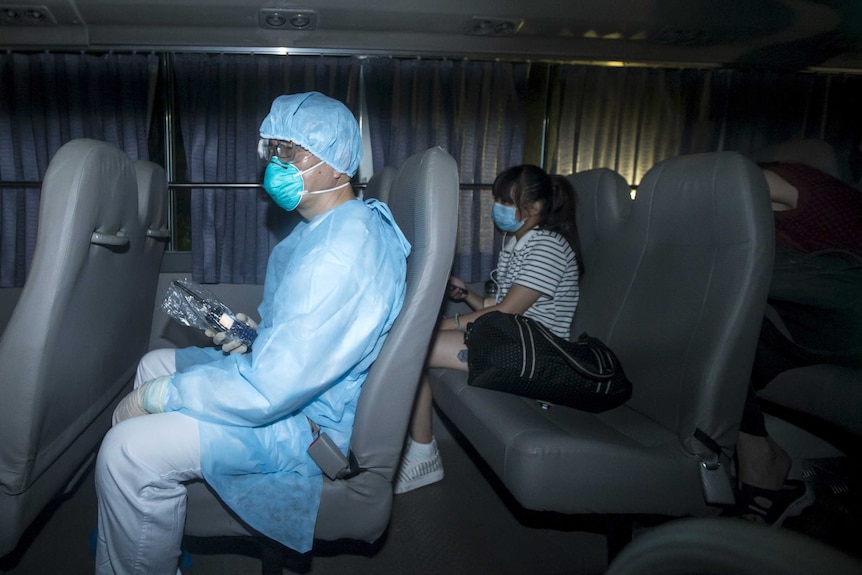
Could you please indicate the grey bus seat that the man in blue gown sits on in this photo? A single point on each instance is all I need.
(424, 201)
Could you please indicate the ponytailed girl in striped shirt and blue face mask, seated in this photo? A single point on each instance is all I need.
(537, 275)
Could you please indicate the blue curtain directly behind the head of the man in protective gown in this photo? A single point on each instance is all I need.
(220, 102)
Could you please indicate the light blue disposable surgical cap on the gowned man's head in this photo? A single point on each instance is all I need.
(321, 125)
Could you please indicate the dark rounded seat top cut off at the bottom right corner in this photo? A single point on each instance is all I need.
(718, 546)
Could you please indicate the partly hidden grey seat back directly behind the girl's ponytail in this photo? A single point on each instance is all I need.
(604, 202)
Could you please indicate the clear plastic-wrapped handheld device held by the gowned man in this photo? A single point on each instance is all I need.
(193, 305)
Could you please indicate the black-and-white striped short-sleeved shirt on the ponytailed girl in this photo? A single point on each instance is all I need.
(542, 261)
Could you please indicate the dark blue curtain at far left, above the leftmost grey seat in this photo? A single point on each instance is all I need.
(46, 100)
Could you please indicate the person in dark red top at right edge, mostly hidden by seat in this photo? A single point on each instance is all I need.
(817, 291)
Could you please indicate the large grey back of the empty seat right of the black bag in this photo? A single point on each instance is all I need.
(679, 291)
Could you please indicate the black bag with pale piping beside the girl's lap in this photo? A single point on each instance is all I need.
(516, 354)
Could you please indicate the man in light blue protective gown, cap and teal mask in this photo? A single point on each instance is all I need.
(241, 421)
